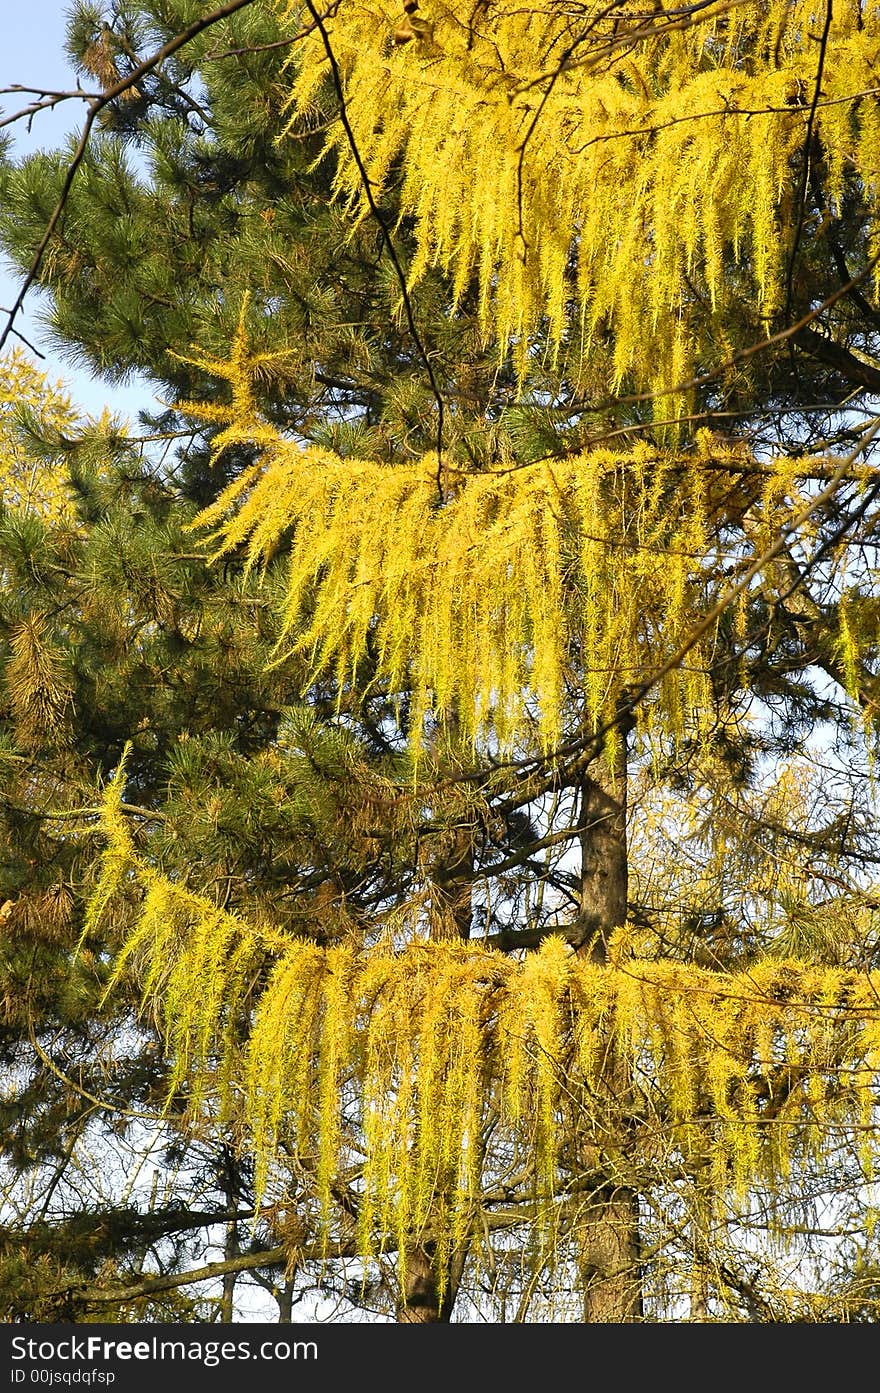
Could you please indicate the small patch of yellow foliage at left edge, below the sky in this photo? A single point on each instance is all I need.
(30, 483)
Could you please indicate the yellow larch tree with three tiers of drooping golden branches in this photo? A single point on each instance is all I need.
(590, 628)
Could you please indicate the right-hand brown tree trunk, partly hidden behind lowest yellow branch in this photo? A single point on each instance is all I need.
(611, 1252)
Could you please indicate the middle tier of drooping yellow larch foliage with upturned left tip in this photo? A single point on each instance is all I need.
(495, 594)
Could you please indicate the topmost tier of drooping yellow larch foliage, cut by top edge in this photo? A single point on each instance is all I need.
(650, 148)
